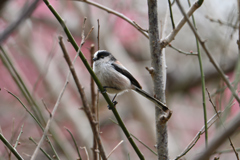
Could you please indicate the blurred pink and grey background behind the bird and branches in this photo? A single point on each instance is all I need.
(34, 52)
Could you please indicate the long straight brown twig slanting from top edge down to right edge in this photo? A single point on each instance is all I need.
(212, 60)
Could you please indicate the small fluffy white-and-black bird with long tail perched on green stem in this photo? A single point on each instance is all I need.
(116, 79)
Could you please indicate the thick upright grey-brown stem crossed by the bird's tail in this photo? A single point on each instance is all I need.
(158, 78)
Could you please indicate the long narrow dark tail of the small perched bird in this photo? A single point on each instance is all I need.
(151, 98)
